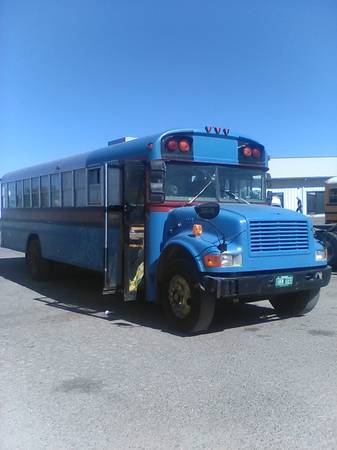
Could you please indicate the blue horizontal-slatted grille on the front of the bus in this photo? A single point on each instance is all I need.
(278, 236)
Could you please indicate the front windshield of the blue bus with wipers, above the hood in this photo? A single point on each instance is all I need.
(185, 181)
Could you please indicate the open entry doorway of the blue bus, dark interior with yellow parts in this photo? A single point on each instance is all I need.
(134, 219)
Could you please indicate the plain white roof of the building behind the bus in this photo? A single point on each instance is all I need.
(308, 167)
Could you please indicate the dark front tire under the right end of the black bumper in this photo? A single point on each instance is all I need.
(295, 303)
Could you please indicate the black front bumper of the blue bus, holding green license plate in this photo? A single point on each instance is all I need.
(261, 285)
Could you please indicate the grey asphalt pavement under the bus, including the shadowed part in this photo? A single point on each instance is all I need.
(72, 377)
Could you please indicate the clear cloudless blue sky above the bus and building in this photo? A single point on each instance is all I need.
(77, 73)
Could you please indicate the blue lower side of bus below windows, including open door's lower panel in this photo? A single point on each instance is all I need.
(73, 238)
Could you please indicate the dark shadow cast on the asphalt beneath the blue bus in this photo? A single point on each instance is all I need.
(78, 291)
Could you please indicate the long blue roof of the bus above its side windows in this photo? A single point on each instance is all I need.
(133, 149)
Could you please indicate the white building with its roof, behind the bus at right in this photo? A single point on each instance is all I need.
(302, 178)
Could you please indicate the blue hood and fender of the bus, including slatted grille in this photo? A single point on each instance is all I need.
(268, 237)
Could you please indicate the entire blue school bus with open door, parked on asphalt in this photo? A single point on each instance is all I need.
(178, 217)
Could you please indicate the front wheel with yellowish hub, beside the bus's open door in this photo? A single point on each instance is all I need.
(189, 313)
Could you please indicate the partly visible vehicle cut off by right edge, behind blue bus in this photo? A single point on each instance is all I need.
(328, 233)
